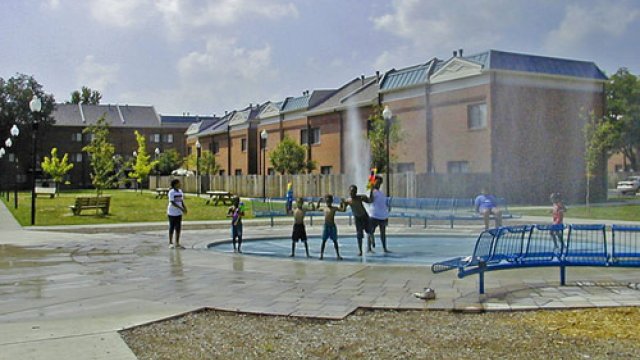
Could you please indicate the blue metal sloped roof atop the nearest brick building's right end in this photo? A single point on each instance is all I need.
(502, 60)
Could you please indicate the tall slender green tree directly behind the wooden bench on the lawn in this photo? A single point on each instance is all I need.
(101, 154)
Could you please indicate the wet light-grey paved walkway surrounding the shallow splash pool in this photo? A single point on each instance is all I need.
(66, 294)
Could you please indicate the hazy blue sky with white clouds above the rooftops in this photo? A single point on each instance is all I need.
(206, 57)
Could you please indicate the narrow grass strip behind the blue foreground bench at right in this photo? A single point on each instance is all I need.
(627, 212)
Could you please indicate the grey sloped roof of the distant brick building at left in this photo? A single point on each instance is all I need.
(115, 115)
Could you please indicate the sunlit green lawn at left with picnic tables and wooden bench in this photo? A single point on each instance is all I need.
(126, 206)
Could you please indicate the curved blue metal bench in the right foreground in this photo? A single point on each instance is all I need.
(526, 246)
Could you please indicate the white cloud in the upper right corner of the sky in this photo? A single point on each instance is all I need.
(583, 22)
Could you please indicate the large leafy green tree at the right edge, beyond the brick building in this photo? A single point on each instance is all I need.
(623, 113)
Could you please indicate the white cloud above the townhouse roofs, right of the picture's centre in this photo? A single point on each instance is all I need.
(428, 28)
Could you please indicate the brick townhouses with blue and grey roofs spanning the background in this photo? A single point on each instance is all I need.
(517, 117)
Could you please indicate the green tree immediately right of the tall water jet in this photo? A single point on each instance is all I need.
(377, 135)
